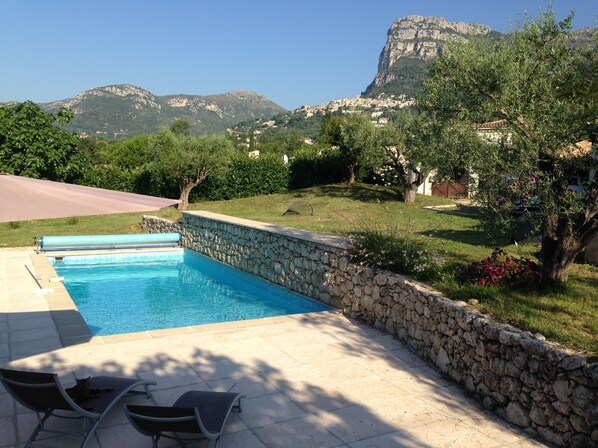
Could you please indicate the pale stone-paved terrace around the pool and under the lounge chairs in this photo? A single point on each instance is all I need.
(316, 380)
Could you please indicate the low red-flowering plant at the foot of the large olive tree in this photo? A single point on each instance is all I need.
(500, 269)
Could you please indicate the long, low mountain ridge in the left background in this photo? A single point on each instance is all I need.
(124, 110)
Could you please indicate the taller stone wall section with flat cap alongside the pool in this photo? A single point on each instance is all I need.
(295, 259)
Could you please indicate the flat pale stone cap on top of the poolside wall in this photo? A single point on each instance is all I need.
(314, 237)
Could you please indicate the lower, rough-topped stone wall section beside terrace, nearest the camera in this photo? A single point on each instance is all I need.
(532, 383)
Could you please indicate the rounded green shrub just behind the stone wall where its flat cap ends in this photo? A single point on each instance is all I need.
(395, 250)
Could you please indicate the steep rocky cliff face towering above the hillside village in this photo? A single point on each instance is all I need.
(412, 42)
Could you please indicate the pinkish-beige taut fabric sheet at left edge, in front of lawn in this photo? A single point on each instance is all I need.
(23, 199)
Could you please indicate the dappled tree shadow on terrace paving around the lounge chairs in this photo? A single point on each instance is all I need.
(263, 430)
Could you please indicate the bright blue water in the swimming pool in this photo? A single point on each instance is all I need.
(124, 293)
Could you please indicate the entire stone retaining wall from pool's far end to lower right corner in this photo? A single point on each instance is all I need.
(532, 383)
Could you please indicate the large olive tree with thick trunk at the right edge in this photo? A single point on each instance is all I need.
(543, 91)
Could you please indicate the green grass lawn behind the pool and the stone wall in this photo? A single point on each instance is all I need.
(569, 316)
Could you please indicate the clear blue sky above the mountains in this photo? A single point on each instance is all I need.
(293, 51)
